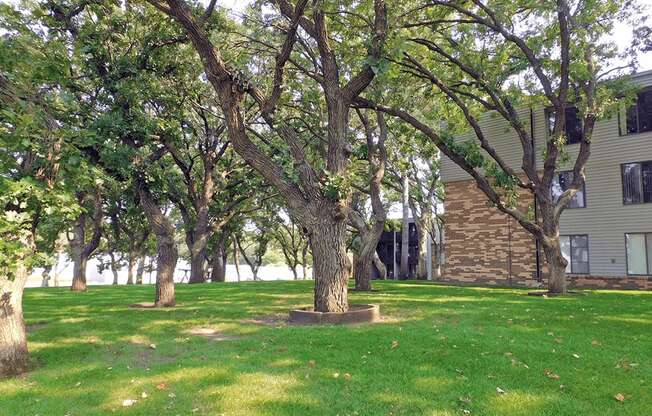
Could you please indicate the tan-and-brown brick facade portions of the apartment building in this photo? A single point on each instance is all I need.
(485, 246)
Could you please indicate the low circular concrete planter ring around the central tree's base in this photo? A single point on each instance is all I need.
(355, 315)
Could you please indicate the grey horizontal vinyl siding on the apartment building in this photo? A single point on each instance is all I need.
(605, 219)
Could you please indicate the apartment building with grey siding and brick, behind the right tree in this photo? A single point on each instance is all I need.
(606, 229)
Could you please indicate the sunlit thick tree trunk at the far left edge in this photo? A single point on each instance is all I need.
(13, 339)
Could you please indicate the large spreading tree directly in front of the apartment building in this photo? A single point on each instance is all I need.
(473, 54)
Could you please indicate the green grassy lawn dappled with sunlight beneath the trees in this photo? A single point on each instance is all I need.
(441, 351)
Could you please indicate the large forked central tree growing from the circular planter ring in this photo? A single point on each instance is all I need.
(313, 195)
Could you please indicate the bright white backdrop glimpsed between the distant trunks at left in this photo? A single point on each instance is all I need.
(181, 274)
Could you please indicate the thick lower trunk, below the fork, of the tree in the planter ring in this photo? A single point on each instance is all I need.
(331, 265)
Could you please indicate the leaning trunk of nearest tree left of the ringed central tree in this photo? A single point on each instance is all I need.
(166, 248)
